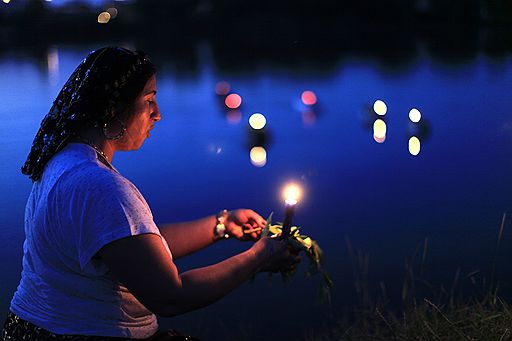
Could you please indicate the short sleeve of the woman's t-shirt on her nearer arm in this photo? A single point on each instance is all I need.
(112, 208)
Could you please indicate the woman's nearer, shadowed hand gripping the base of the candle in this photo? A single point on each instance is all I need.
(279, 255)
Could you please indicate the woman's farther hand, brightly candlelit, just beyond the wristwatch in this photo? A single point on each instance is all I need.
(244, 224)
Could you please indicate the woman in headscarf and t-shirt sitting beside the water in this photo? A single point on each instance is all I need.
(95, 265)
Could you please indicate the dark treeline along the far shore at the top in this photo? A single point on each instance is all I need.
(287, 34)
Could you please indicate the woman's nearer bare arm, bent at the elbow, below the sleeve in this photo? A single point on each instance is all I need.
(144, 266)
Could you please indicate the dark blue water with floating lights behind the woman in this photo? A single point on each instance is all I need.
(378, 196)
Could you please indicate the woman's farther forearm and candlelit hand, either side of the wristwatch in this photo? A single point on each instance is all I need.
(188, 237)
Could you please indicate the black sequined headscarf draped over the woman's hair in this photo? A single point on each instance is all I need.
(105, 83)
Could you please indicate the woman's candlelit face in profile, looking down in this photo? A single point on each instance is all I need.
(140, 118)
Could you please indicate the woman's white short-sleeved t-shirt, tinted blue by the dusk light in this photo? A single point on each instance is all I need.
(77, 207)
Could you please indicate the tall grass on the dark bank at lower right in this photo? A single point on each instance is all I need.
(426, 312)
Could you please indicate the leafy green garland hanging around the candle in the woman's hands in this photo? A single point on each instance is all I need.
(299, 243)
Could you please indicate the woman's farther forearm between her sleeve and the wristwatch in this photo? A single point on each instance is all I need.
(187, 237)
